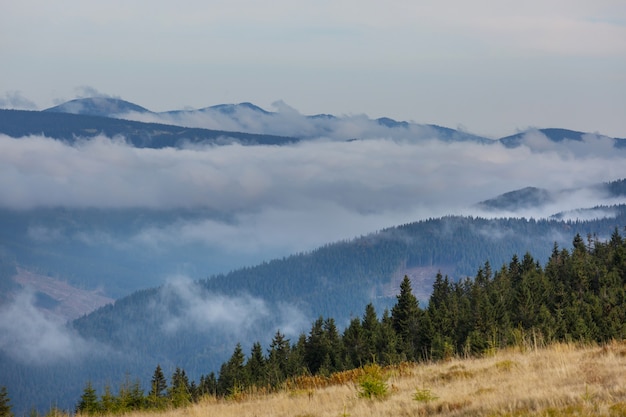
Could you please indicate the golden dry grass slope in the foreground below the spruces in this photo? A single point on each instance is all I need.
(561, 380)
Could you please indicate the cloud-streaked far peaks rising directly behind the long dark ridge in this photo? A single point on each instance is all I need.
(250, 118)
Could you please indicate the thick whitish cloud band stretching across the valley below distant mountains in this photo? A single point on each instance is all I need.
(280, 200)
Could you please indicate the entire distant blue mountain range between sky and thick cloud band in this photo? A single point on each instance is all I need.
(244, 123)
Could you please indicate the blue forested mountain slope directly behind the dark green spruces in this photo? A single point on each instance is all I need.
(195, 324)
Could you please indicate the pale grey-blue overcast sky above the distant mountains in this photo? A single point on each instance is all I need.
(488, 67)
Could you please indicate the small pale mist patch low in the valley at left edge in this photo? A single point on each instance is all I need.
(30, 336)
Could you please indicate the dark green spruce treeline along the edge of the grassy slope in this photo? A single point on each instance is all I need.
(579, 295)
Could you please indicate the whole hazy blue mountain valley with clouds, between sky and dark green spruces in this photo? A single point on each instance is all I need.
(209, 237)
